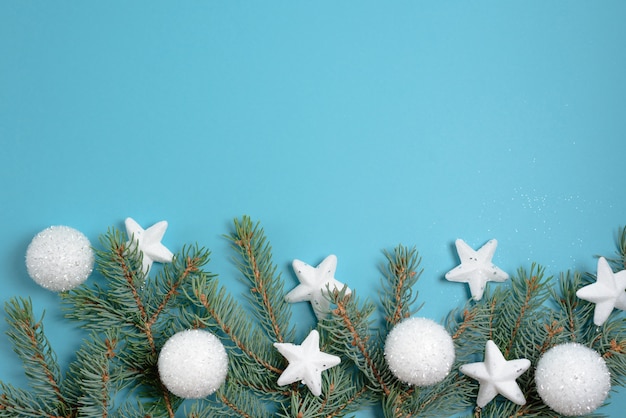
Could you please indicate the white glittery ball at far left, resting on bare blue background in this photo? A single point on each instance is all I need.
(59, 258)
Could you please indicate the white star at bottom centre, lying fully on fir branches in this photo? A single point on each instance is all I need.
(306, 363)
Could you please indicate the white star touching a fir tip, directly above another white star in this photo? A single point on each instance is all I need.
(313, 284)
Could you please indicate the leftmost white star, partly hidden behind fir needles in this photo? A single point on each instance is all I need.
(148, 241)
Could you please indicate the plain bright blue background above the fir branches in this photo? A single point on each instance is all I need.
(344, 127)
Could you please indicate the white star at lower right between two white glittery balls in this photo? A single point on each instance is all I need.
(497, 375)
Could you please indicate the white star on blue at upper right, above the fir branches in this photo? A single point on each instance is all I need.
(476, 267)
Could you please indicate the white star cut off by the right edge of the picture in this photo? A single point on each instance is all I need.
(608, 292)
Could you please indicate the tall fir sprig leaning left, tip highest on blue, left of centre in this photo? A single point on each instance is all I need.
(267, 294)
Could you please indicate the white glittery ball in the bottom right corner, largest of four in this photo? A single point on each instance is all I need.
(572, 379)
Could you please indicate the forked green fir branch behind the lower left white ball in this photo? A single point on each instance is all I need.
(142, 308)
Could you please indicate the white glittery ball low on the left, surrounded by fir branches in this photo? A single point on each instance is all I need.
(193, 364)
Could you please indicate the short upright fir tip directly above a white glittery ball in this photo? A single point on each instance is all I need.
(401, 275)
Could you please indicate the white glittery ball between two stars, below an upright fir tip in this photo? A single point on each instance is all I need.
(419, 351)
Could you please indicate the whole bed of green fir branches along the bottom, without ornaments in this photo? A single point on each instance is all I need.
(129, 315)
